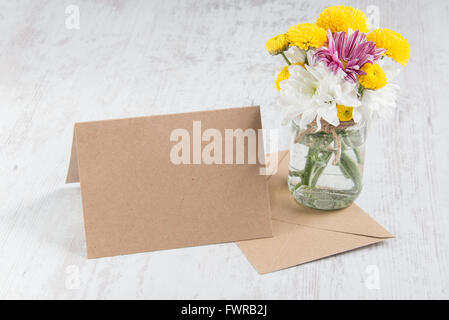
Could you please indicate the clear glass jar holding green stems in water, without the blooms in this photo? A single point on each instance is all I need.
(316, 178)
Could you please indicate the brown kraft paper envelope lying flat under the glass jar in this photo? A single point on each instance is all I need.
(302, 235)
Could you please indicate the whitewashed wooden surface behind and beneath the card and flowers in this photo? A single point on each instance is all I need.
(134, 58)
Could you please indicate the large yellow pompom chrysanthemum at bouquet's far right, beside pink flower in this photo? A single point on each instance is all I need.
(396, 45)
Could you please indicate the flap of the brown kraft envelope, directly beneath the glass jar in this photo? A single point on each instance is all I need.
(351, 220)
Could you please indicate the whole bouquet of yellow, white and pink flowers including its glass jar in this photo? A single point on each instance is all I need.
(337, 80)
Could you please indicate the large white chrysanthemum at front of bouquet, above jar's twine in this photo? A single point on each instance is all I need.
(314, 92)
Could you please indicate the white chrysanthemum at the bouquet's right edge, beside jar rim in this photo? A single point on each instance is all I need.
(377, 103)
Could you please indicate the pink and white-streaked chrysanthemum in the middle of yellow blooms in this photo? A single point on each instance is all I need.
(348, 52)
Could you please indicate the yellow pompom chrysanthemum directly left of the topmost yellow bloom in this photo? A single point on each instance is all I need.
(307, 35)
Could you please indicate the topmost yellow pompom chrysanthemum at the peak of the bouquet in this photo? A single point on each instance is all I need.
(342, 18)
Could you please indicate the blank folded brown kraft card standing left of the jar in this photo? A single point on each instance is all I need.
(136, 199)
